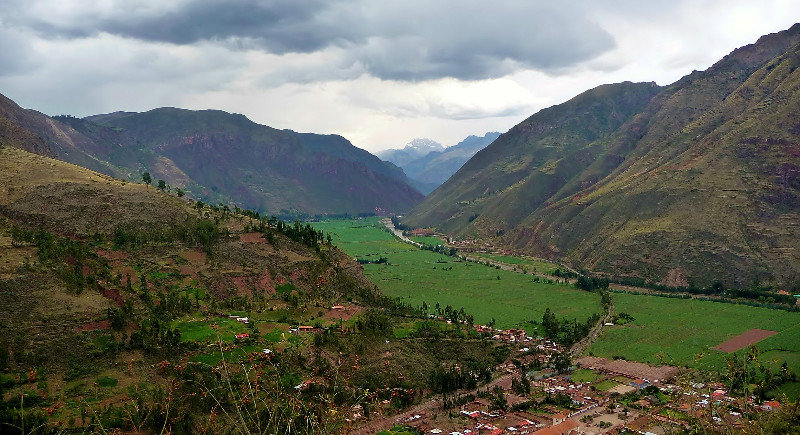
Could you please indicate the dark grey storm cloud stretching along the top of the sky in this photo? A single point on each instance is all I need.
(407, 41)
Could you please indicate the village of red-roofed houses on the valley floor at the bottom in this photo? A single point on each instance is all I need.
(591, 396)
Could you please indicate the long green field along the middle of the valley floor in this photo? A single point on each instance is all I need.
(416, 275)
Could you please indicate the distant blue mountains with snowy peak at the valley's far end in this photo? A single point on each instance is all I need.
(428, 164)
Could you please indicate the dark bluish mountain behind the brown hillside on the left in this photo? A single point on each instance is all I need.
(219, 157)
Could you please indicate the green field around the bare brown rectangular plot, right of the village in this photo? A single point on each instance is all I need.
(683, 332)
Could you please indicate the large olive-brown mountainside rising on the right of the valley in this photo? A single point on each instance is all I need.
(700, 178)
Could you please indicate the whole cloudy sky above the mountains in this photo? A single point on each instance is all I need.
(379, 73)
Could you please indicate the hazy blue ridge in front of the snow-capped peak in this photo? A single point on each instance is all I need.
(431, 170)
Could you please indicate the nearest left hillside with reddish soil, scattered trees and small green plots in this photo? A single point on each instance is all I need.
(129, 309)
